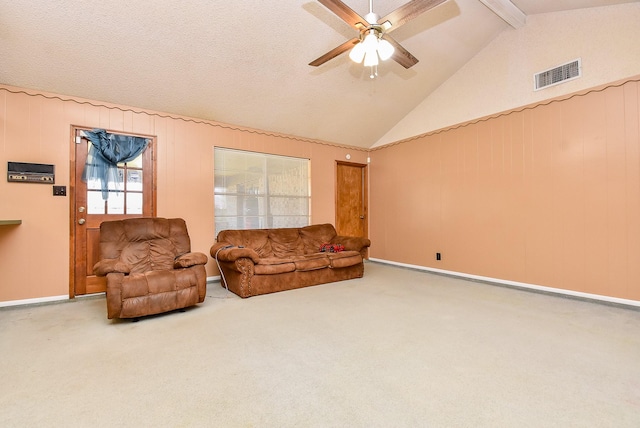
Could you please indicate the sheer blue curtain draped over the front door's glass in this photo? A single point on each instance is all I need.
(105, 152)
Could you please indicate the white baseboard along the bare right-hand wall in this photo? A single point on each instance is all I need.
(516, 284)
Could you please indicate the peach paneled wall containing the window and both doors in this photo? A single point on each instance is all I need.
(35, 127)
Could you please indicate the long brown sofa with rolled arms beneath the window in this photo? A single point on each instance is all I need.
(260, 261)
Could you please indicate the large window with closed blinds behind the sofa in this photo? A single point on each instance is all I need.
(260, 191)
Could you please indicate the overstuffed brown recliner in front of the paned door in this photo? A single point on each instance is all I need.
(149, 267)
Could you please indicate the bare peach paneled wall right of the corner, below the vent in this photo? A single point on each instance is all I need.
(548, 195)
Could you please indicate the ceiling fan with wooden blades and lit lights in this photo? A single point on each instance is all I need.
(373, 41)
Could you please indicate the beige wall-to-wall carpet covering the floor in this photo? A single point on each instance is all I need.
(398, 348)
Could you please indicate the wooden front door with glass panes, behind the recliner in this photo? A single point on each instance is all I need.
(135, 199)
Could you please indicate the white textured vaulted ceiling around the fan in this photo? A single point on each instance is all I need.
(244, 62)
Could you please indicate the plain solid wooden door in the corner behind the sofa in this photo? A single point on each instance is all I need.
(351, 199)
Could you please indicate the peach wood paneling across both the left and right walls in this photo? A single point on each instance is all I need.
(548, 195)
